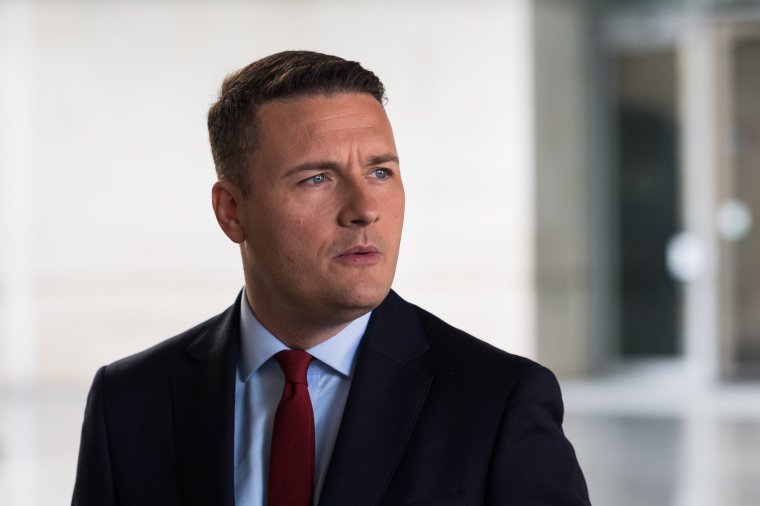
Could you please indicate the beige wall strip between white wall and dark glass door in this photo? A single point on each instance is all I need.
(566, 188)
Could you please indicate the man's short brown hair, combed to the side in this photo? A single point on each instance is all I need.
(232, 123)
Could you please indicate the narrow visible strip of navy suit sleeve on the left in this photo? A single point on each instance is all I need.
(94, 480)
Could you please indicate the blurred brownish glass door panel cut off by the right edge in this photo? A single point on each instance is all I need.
(738, 214)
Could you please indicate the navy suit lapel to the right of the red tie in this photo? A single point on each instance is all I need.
(382, 407)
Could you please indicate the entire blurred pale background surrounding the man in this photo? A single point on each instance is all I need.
(583, 188)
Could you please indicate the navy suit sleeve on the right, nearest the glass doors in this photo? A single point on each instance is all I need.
(533, 462)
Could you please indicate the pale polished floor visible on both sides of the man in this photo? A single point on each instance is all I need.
(630, 459)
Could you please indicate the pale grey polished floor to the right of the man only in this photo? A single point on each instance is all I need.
(657, 461)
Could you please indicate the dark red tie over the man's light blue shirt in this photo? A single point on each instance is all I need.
(291, 461)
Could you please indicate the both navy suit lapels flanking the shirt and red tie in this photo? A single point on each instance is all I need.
(381, 411)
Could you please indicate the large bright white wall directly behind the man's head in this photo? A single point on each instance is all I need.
(112, 177)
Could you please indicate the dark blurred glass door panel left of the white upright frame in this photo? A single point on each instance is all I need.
(646, 135)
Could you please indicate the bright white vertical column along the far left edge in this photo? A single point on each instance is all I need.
(19, 337)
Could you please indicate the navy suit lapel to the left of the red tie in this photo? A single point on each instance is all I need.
(204, 400)
